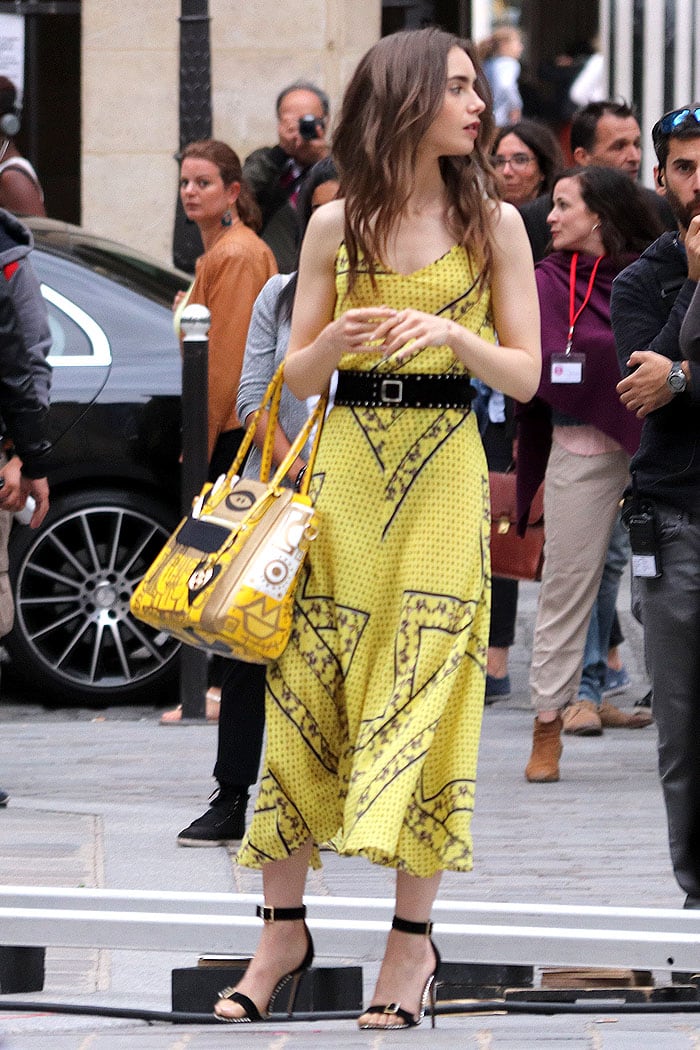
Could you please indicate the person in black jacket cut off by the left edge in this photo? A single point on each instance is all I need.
(25, 445)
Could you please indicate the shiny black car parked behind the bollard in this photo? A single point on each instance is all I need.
(115, 475)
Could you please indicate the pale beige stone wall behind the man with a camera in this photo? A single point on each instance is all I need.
(131, 56)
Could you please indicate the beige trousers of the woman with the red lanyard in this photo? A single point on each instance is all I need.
(582, 498)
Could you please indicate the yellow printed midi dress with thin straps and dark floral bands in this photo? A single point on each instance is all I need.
(374, 710)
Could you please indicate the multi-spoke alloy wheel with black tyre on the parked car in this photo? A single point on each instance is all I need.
(74, 636)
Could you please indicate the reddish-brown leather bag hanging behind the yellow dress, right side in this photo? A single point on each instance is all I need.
(515, 557)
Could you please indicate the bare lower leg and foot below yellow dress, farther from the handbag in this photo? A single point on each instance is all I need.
(409, 960)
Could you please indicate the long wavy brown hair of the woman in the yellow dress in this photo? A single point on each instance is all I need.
(396, 93)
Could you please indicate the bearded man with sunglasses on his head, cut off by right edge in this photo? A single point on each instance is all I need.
(649, 303)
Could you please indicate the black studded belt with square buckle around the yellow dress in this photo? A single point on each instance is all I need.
(387, 390)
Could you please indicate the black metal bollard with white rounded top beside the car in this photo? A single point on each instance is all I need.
(194, 667)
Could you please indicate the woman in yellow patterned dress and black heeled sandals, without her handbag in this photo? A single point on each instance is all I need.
(411, 284)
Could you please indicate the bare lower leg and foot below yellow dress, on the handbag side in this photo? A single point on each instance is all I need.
(283, 944)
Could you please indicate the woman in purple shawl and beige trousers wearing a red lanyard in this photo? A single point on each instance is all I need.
(576, 434)
